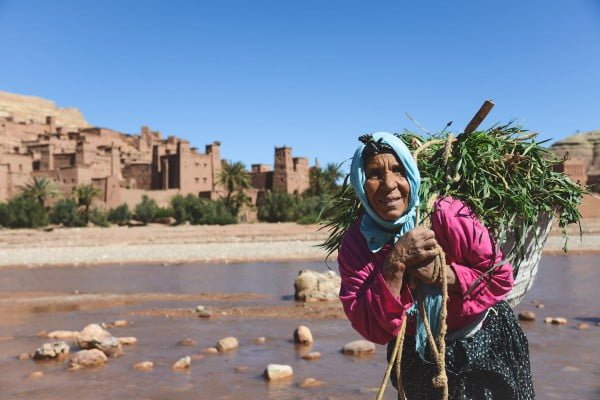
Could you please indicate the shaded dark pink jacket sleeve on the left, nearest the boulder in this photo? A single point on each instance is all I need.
(368, 303)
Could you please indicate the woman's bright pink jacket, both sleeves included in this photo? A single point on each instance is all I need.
(377, 314)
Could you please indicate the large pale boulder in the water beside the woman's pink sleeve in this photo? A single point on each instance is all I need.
(311, 285)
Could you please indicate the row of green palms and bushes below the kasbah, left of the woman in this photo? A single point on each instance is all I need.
(30, 209)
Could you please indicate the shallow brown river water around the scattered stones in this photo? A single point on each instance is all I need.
(565, 360)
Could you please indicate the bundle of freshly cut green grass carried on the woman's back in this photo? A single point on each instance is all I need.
(507, 178)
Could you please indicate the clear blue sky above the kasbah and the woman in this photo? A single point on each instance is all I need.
(313, 75)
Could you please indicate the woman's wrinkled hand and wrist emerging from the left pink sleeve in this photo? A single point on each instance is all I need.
(415, 249)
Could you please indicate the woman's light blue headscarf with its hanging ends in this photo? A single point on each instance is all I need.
(377, 231)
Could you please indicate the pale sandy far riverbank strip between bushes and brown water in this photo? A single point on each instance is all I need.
(159, 244)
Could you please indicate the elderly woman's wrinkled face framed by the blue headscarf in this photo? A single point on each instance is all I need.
(386, 186)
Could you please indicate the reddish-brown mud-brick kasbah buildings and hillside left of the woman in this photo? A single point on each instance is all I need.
(39, 139)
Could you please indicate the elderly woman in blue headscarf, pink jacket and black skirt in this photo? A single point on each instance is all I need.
(487, 354)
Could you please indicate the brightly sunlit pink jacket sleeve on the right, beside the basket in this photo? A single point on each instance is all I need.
(471, 252)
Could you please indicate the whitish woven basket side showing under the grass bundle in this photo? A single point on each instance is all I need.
(529, 261)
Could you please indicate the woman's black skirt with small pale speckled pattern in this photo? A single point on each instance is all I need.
(491, 364)
